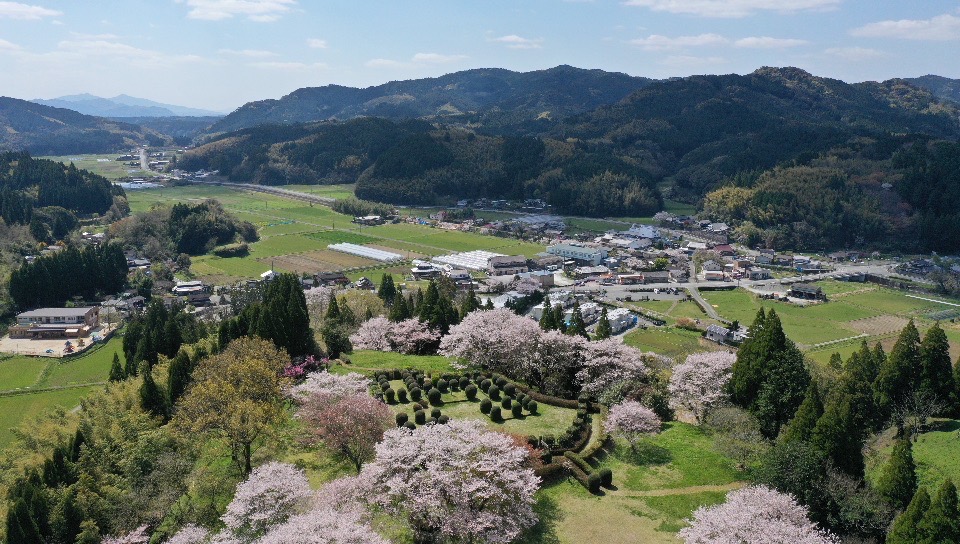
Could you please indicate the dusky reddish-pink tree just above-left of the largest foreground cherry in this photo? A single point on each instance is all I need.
(349, 425)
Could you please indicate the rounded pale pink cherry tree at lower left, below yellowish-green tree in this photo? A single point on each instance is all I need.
(271, 495)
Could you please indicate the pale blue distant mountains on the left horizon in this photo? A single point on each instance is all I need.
(122, 106)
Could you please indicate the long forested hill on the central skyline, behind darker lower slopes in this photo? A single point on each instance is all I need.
(491, 96)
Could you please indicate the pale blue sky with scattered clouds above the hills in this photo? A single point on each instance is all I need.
(219, 54)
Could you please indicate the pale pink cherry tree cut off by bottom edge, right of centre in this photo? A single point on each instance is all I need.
(755, 514)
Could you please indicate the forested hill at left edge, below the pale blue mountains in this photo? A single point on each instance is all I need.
(45, 130)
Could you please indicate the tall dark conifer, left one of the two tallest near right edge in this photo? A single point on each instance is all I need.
(900, 372)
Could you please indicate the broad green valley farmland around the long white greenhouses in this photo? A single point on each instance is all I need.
(294, 236)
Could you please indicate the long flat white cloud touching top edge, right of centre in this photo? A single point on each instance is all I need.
(732, 8)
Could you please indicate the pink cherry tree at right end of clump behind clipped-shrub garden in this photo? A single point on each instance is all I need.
(612, 369)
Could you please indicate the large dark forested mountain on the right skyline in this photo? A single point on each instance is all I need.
(696, 131)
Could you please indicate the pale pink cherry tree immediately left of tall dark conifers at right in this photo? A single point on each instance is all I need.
(699, 383)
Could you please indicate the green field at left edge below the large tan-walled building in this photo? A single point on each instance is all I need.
(30, 385)
